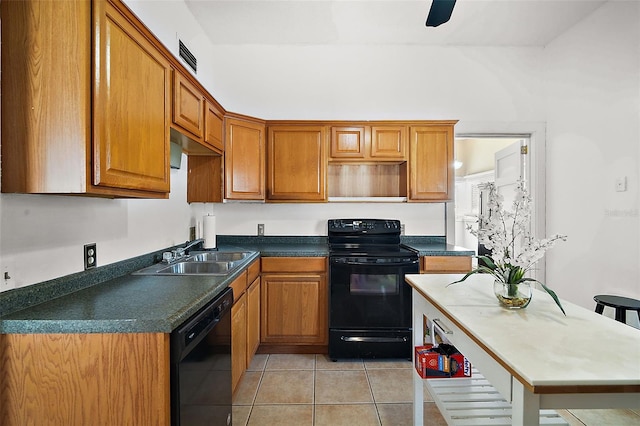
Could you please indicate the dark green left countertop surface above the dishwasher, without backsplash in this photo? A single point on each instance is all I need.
(126, 304)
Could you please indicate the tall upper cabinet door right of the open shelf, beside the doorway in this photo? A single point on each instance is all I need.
(431, 163)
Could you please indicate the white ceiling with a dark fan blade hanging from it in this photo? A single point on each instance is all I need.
(473, 23)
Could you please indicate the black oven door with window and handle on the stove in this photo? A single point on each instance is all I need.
(370, 293)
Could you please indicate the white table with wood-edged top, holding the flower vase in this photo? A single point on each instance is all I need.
(535, 357)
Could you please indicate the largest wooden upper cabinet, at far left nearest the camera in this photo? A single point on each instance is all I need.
(59, 139)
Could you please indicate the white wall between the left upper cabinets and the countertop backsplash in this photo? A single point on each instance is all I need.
(43, 236)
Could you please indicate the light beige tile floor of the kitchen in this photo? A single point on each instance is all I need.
(282, 390)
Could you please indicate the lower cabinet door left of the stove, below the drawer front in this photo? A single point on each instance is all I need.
(294, 308)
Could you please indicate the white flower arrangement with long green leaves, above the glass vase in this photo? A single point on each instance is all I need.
(507, 234)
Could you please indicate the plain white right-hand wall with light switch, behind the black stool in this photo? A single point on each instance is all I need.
(592, 81)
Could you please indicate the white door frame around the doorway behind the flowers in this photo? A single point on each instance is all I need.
(535, 133)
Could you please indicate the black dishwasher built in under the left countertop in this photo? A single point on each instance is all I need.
(201, 366)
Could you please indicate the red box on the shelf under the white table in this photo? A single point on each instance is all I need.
(432, 365)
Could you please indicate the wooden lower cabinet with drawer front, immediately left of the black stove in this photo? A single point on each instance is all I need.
(294, 301)
